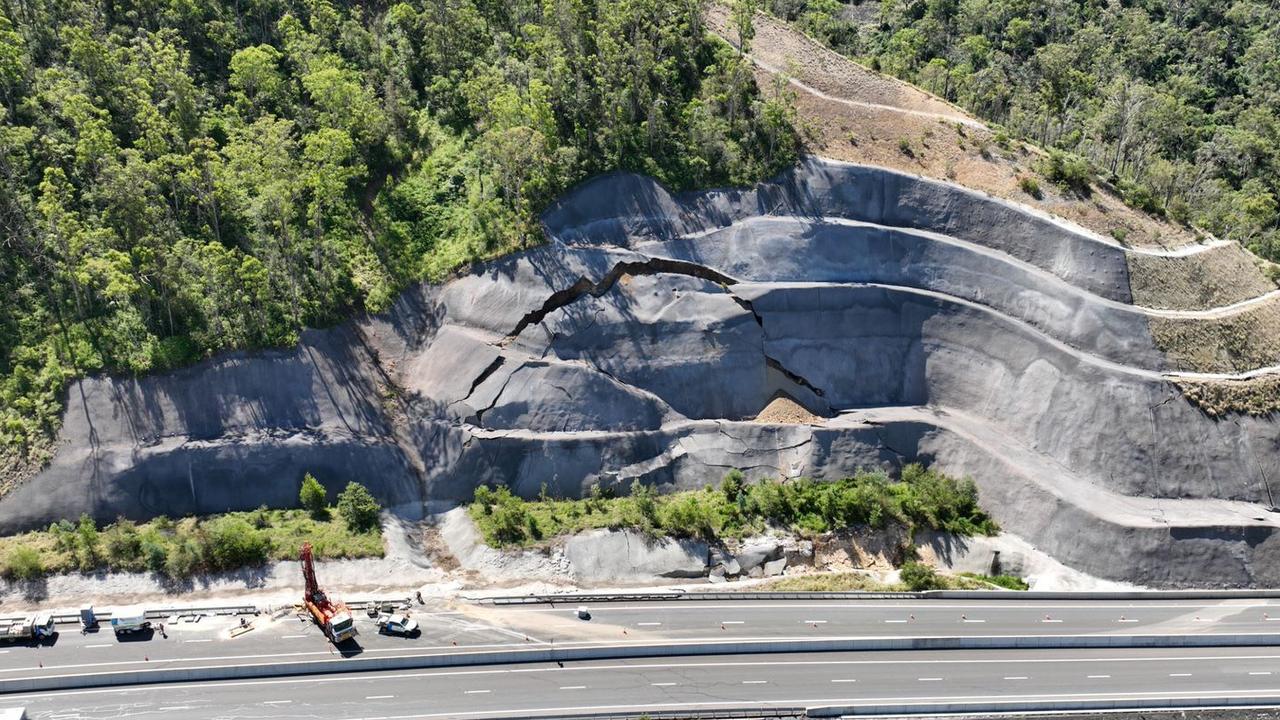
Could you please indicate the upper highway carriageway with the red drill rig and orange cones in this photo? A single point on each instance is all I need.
(486, 628)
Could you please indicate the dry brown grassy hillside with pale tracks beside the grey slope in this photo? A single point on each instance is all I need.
(853, 113)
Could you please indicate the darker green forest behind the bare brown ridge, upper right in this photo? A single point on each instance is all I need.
(1174, 102)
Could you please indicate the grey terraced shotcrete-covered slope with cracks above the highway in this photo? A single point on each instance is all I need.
(918, 321)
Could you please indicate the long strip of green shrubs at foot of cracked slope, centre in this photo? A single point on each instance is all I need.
(920, 499)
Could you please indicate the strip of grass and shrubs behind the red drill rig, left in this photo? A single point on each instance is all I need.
(180, 549)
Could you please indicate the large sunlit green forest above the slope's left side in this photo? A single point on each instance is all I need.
(179, 179)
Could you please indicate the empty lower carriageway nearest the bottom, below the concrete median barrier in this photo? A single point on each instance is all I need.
(652, 685)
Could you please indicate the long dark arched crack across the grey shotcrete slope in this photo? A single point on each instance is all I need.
(584, 286)
